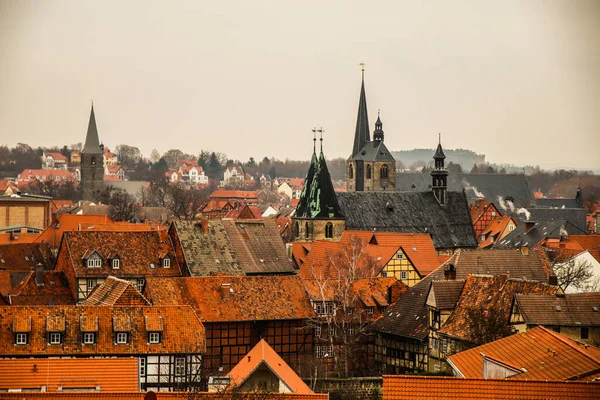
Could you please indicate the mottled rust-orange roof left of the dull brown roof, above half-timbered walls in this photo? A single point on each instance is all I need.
(491, 294)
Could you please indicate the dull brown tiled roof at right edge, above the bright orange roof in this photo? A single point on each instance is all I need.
(577, 309)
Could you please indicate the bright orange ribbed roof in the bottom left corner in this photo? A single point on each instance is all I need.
(104, 374)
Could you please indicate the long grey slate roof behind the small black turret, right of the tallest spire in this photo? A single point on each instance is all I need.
(489, 185)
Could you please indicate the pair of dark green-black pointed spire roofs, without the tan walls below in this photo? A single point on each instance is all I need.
(318, 197)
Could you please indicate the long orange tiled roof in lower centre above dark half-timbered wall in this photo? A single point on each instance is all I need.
(248, 298)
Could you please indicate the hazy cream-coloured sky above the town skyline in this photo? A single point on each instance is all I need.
(516, 80)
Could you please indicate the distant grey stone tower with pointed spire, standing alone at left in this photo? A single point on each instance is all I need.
(92, 163)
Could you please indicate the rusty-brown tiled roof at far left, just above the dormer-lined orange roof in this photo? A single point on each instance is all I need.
(54, 290)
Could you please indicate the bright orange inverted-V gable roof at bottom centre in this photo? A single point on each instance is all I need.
(263, 354)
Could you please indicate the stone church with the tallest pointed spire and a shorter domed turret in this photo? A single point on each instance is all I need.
(371, 167)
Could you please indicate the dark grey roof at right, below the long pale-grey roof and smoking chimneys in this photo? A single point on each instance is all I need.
(541, 230)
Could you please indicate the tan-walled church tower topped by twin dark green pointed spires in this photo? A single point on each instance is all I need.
(318, 214)
